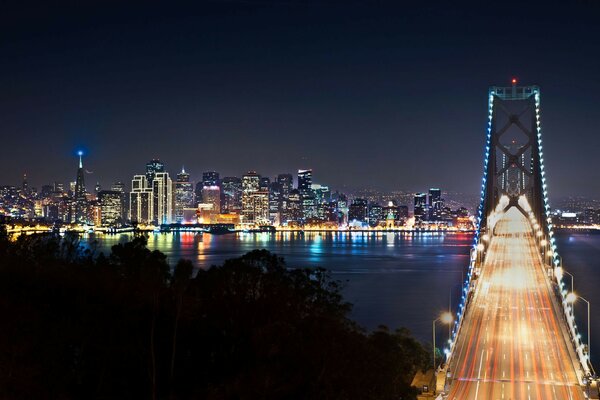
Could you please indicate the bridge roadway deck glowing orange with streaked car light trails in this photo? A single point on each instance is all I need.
(510, 345)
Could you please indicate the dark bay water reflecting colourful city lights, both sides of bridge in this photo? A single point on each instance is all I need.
(394, 279)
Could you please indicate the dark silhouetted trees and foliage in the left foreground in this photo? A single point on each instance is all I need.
(126, 325)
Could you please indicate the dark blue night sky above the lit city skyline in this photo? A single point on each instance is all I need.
(368, 94)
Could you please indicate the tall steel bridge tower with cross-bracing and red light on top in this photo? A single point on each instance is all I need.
(513, 164)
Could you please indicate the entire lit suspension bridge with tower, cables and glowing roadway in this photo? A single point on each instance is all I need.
(515, 335)
